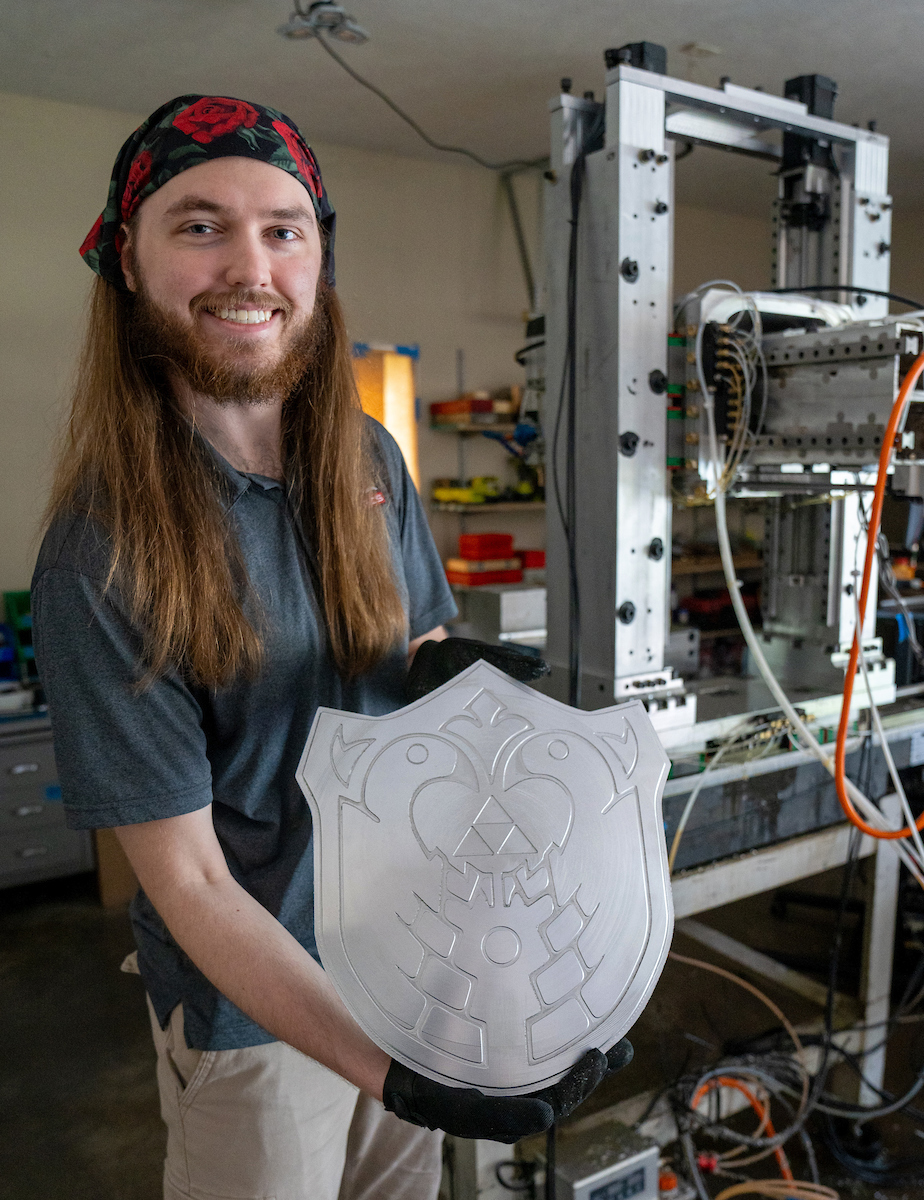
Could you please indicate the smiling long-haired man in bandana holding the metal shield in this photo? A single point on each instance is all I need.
(231, 545)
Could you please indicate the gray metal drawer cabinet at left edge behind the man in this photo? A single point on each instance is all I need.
(35, 843)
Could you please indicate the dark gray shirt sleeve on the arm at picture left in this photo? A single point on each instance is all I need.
(124, 754)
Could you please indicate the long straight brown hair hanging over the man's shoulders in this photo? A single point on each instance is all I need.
(131, 461)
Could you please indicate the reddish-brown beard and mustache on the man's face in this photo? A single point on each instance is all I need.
(225, 375)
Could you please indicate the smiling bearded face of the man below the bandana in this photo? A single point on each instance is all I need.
(226, 260)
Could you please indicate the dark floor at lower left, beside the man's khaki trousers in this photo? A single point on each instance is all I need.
(80, 1108)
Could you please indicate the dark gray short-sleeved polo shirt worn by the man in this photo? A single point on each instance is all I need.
(127, 757)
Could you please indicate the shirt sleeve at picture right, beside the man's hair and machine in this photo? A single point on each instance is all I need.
(430, 598)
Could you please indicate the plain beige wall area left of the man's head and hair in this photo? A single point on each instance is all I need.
(56, 161)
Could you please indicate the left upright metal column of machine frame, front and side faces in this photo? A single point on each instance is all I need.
(623, 527)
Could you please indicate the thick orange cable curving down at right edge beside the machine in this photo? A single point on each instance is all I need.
(873, 532)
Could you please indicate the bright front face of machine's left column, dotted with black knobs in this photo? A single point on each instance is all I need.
(641, 205)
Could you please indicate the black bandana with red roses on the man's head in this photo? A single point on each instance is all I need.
(189, 131)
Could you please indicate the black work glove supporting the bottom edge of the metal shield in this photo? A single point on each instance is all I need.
(467, 1113)
